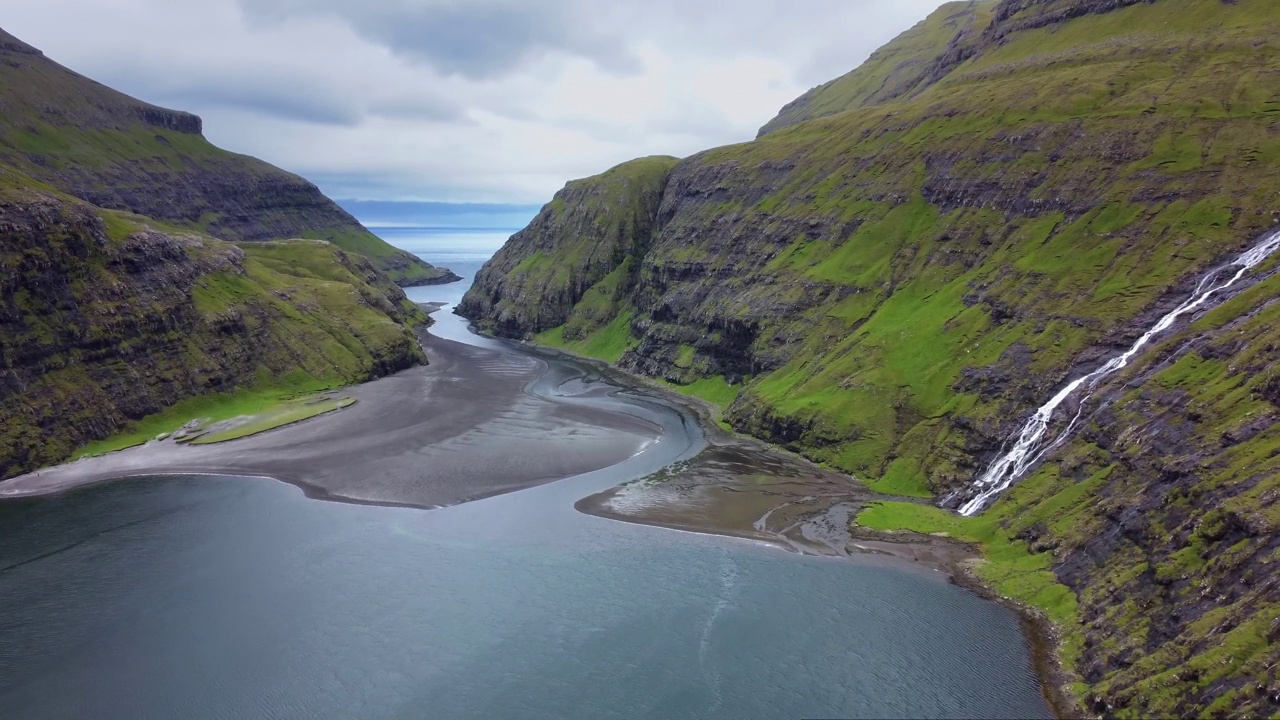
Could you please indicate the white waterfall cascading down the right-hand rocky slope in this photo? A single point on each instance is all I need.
(1028, 449)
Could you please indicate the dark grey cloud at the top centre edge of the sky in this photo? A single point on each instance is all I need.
(478, 40)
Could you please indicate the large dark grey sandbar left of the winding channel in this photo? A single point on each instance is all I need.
(477, 422)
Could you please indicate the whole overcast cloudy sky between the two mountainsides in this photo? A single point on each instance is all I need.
(464, 101)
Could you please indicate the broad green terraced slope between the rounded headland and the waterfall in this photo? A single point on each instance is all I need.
(904, 281)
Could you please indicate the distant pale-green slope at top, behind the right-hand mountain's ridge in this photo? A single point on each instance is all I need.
(898, 70)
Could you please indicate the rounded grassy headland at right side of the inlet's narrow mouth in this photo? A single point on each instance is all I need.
(578, 261)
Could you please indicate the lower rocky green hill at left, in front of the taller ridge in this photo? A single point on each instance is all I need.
(111, 320)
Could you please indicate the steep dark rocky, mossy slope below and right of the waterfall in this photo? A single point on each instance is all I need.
(1163, 517)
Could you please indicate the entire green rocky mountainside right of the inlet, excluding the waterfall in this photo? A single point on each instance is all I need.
(913, 258)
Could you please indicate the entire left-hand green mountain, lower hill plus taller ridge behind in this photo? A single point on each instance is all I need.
(115, 322)
